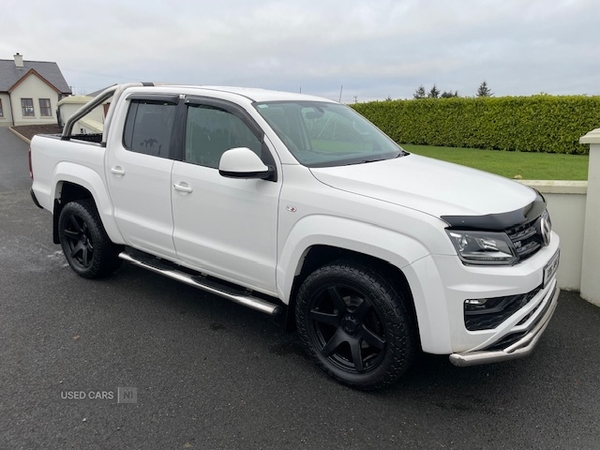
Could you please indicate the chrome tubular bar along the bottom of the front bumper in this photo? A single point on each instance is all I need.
(519, 348)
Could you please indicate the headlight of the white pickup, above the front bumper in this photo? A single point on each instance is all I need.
(480, 247)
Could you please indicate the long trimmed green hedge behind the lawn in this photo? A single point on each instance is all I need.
(541, 123)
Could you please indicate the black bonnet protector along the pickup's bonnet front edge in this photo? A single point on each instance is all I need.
(501, 221)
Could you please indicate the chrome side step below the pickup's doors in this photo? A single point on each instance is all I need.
(212, 287)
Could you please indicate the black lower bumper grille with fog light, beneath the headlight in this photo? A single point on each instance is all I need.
(491, 312)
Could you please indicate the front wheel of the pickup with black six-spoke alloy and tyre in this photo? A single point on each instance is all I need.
(354, 324)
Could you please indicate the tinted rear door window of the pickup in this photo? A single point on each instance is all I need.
(148, 127)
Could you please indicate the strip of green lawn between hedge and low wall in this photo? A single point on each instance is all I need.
(529, 166)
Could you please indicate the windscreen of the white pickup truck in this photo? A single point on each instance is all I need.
(321, 134)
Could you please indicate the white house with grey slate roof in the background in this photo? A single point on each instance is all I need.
(30, 91)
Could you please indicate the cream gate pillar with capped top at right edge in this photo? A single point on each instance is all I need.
(590, 271)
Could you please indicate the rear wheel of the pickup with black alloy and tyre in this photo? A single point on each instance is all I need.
(87, 247)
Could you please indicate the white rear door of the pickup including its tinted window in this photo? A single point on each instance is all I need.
(139, 174)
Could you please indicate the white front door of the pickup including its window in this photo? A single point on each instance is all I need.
(224, 227)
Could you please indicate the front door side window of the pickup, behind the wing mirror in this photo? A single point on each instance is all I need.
(211, 131)
